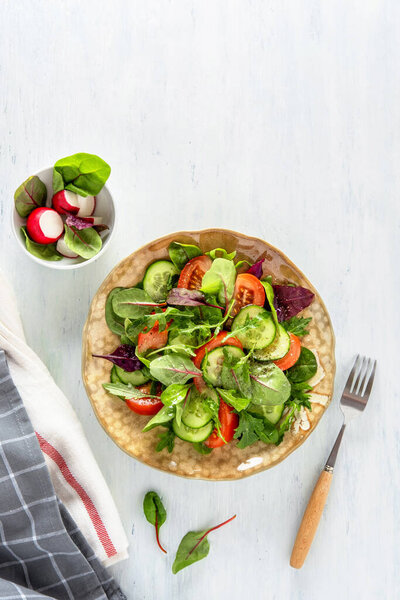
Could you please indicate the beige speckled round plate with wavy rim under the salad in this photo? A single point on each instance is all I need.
(124, 426)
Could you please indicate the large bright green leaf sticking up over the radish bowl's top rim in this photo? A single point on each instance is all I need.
(82, 173)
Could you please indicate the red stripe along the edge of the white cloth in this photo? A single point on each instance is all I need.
(98, 524)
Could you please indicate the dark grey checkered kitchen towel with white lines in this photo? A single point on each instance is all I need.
(42, 552)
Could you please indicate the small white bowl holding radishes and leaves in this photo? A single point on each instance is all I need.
(104, 208)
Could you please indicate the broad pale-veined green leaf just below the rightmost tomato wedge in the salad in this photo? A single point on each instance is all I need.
(270, 386)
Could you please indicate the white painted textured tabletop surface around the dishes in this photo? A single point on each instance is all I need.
(277, 118)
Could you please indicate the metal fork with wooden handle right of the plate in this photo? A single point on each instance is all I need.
(353, 401)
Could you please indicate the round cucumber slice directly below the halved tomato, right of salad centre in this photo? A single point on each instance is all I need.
(256, 336)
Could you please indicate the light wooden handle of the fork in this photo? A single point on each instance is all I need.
(311, 519)
